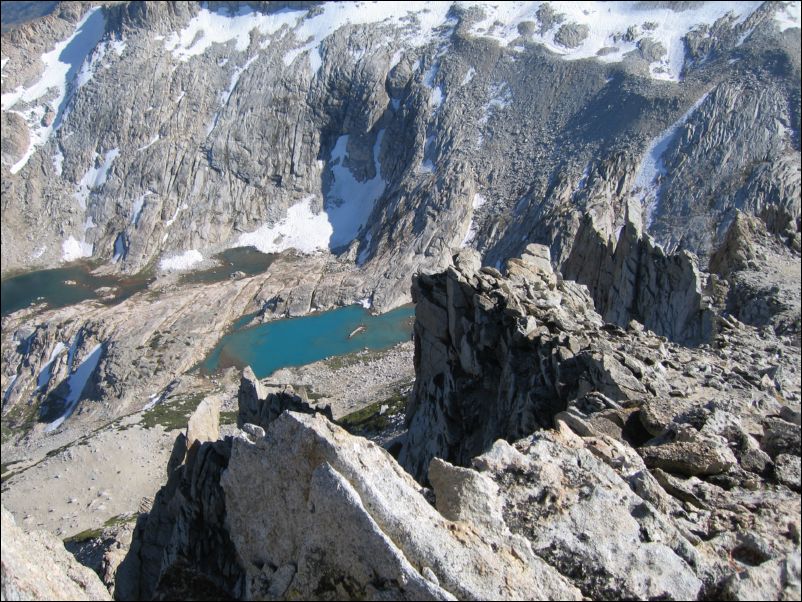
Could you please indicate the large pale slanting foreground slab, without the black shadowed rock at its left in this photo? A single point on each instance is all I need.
(360, 526)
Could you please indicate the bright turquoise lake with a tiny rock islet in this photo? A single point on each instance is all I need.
(298, 341)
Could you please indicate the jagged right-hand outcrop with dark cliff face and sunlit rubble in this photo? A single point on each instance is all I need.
(698, 446)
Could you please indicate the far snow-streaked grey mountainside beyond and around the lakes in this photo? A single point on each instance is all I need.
(366, 145)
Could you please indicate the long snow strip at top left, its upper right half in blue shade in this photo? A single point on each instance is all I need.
(61, 65)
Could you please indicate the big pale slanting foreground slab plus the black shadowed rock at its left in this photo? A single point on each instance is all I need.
(335, 517)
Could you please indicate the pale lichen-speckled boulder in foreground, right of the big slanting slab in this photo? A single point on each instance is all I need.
(581, 517)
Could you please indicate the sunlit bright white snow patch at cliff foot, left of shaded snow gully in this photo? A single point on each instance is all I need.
(300, 229)
